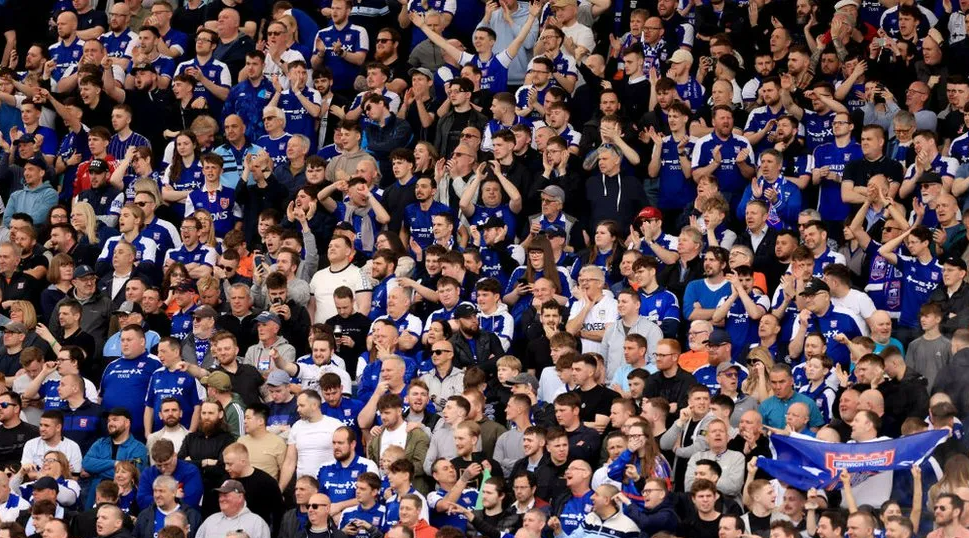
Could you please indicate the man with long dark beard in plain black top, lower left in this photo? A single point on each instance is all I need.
(204, 447)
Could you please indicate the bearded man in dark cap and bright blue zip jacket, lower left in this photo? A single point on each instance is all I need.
(119, 445)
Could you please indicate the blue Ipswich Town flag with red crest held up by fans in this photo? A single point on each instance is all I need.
(807, 463)
